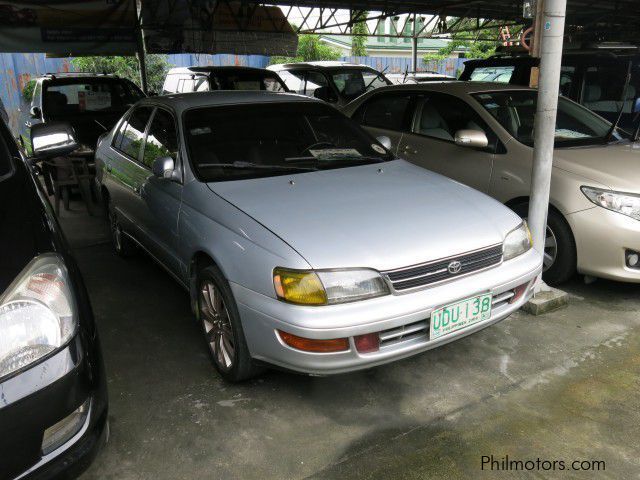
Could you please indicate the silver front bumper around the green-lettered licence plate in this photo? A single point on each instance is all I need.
(396, 315)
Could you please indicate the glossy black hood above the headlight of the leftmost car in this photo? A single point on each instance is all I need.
(24, 228)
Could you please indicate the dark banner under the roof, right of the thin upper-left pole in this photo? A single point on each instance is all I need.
(209, 26)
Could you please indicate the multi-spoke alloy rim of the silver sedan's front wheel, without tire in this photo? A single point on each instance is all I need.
(217, 325)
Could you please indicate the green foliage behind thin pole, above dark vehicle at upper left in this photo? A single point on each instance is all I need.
(127, 67)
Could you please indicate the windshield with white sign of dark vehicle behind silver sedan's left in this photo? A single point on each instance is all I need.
(65, 98)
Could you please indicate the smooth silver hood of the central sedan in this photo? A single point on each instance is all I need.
(380, 216)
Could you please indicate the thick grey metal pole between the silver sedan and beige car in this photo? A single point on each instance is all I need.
(551, 37)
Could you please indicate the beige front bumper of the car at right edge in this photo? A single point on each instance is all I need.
(602, 237)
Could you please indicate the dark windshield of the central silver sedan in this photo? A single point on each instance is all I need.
(249, 141)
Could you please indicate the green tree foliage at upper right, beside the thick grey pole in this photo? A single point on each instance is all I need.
(483, 46)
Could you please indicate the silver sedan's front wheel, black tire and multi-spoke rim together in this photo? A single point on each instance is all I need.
(222, 328)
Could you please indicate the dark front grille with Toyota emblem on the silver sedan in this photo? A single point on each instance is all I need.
(437, 271)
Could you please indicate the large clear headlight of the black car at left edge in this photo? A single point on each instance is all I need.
(36, 314)
